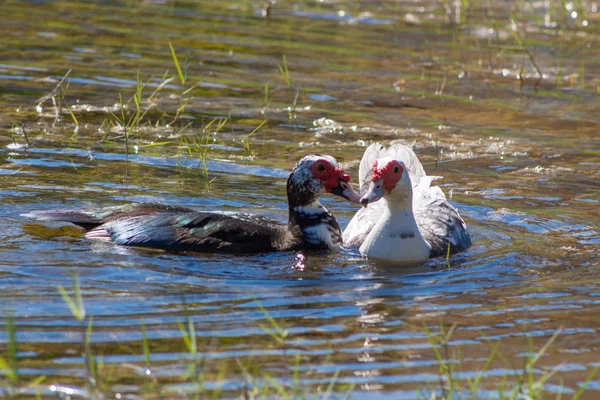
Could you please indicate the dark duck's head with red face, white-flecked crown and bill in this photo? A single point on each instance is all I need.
(316, 174)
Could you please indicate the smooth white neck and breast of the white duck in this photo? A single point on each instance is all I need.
(396, 237)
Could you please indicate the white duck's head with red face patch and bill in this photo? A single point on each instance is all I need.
(389, 177)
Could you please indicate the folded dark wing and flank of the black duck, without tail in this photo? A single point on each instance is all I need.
(203, 232)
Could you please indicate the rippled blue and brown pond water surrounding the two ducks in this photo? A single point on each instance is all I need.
(519, 157)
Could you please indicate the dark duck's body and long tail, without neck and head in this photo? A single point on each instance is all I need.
(179, 228)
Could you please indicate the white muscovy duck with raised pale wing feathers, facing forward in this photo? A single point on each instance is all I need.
(412, 221)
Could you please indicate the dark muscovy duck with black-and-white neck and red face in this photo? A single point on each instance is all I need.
(310, 225)
